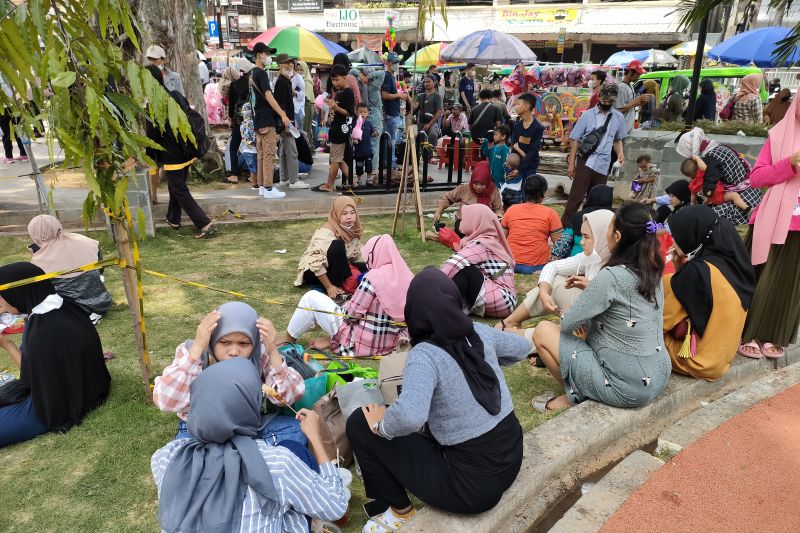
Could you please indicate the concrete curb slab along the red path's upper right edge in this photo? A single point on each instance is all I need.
(687, 430)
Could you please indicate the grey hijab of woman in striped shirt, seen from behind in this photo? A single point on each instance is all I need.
(207, 479)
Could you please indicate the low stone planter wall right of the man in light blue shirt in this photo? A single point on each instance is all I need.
(660, 145)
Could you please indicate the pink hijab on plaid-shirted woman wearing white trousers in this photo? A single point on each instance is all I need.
(389, 275)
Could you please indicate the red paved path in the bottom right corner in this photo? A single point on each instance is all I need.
(742, 477)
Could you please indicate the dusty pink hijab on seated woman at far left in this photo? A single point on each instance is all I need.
(58, 250)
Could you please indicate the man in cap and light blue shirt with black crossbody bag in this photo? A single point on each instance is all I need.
(586, 172)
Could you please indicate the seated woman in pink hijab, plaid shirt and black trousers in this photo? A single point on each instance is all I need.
(483, 267)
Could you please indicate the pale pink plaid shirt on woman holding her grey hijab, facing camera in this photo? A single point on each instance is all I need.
(171, 391)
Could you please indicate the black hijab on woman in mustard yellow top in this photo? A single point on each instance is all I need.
(698, 231)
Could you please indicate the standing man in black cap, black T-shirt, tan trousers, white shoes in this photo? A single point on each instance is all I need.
(266, 110)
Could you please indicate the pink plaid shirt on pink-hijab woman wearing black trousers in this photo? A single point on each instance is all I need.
(499, 296)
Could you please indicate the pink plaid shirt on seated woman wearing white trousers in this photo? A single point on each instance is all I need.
(372, 333)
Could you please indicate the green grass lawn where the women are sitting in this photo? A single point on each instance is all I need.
(97, 476)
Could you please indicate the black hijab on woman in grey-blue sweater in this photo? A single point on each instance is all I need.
(434, 315)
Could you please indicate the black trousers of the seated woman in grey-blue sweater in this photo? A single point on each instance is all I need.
(436, 474)
